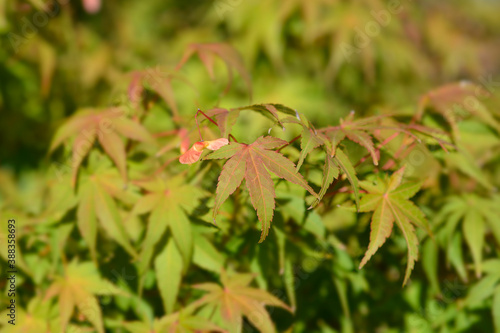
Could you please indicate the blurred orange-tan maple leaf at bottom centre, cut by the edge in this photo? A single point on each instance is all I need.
(235, 299)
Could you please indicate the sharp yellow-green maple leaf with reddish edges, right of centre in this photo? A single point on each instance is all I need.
(390, 202)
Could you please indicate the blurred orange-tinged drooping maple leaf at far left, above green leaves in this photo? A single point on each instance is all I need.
(89, 124)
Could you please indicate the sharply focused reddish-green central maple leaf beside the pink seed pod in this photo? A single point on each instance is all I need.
(252, 162)
